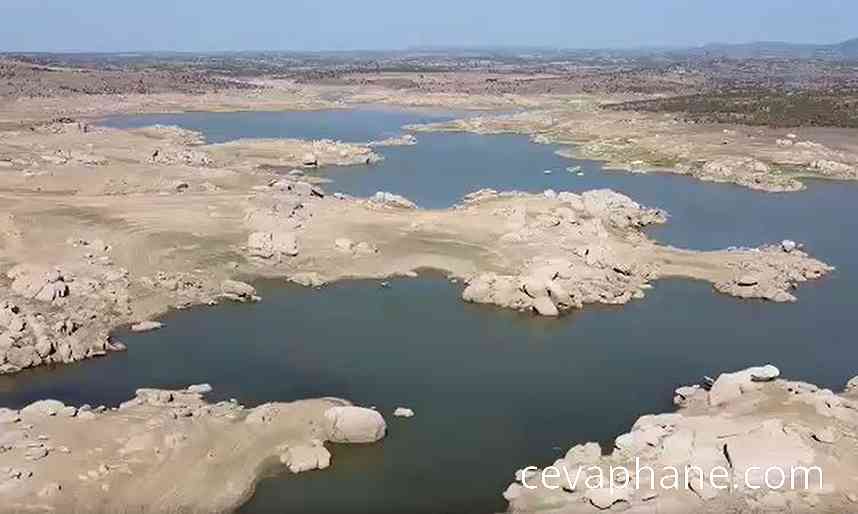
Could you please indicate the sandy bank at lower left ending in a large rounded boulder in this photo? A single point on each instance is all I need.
(60, 458)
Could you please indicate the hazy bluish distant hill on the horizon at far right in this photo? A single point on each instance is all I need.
(779, 49)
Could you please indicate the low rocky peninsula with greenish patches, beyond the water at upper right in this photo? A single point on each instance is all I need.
(764, 159)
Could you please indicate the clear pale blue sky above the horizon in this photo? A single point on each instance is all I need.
(209, 25)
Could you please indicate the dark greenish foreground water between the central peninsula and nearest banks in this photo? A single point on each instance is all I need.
(493, 390)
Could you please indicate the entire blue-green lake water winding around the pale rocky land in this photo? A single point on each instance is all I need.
(493, 390)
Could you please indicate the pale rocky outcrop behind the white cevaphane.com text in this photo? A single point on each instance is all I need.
(753, 442)
